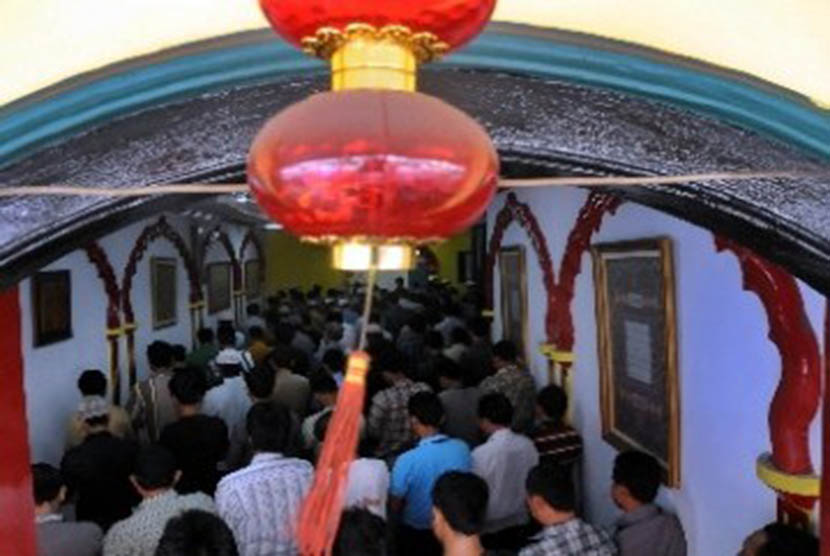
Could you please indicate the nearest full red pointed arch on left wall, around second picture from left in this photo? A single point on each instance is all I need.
(160, 229)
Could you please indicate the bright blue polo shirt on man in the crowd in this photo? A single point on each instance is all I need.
(416, 471)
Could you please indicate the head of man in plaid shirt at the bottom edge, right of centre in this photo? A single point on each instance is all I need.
(550, 494)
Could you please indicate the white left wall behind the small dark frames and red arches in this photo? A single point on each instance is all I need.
(51, 372)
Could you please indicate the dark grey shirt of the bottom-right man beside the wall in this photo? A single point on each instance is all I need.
(649, 530)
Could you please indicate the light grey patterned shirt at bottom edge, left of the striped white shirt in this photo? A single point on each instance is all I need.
(139, 534)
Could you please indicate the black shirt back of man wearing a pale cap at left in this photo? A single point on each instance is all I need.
(99, 470)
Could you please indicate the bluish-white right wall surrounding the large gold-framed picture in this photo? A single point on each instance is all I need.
(728, 369)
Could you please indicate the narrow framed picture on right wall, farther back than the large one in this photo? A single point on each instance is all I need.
(513, 280)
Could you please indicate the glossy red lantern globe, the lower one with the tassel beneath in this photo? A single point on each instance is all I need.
(384, 166)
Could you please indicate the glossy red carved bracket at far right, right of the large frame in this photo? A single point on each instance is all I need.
(796, 399)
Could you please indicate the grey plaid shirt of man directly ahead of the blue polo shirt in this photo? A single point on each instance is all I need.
(389, 417)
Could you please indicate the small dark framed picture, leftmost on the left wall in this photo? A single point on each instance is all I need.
(51, 307)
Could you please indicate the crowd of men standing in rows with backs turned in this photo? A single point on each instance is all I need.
(460, 453)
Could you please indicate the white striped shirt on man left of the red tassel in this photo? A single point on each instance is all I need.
(260, 504)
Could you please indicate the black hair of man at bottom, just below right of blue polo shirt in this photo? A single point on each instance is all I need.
(462, 500)
